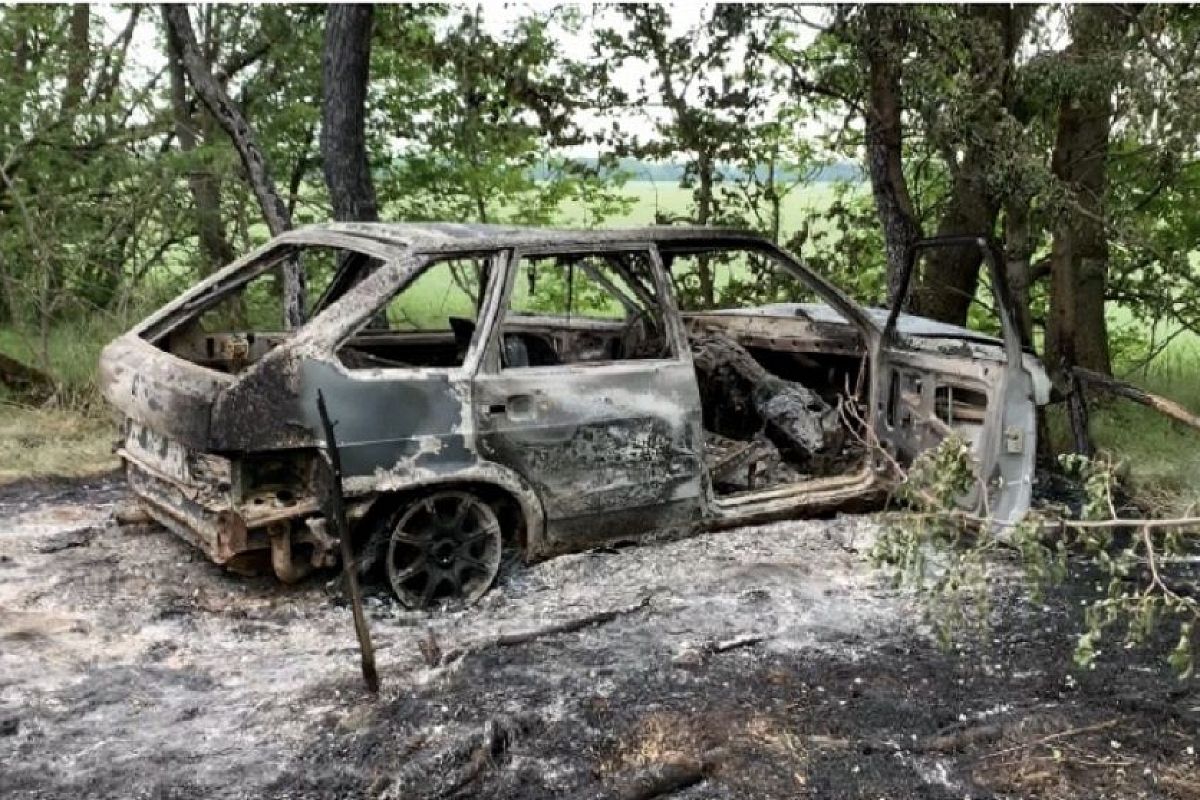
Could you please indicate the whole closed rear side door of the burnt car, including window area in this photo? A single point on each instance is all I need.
(613, 446)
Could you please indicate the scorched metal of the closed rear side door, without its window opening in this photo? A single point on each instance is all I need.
(682, 497)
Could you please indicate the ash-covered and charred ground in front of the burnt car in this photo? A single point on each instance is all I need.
(761, 663)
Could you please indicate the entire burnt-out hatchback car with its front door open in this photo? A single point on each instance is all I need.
(502, 389)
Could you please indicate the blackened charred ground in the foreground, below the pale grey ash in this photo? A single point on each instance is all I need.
(1005, 715)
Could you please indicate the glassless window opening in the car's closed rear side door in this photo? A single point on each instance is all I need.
(583, 309)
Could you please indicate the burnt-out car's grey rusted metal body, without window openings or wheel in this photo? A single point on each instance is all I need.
(586, 454)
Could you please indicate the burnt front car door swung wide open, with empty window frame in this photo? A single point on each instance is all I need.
(935, 381)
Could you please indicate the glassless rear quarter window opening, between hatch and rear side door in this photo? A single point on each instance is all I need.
(429, 323)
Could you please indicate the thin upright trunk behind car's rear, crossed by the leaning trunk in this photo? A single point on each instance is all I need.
(202, 184)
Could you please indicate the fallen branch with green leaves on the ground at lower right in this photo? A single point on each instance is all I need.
(952, 555)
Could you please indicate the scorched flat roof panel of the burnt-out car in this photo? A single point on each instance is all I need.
(451, 236)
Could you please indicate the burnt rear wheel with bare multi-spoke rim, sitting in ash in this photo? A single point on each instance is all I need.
(443, 551)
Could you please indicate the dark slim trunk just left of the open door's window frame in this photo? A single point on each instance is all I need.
(884, 51)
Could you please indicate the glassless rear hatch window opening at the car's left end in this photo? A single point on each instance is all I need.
(237, 323)
